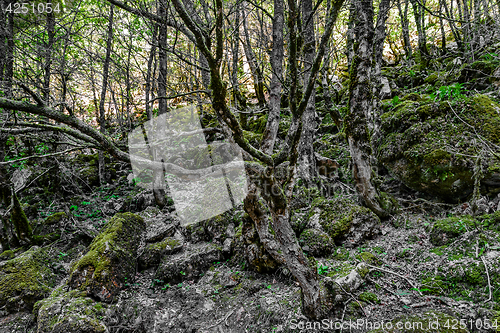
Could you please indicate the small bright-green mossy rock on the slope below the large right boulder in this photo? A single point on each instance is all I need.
(445, 230)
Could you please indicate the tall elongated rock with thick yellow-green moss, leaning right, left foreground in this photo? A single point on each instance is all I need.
(111, 259)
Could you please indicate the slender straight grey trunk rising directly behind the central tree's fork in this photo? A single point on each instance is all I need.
(273, 119)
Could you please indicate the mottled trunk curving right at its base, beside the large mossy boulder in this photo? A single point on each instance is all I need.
(360, 104)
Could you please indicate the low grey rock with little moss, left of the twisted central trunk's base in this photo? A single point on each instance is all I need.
(189, 264)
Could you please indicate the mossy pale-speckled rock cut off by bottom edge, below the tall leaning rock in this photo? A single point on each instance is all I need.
(69, 311)
